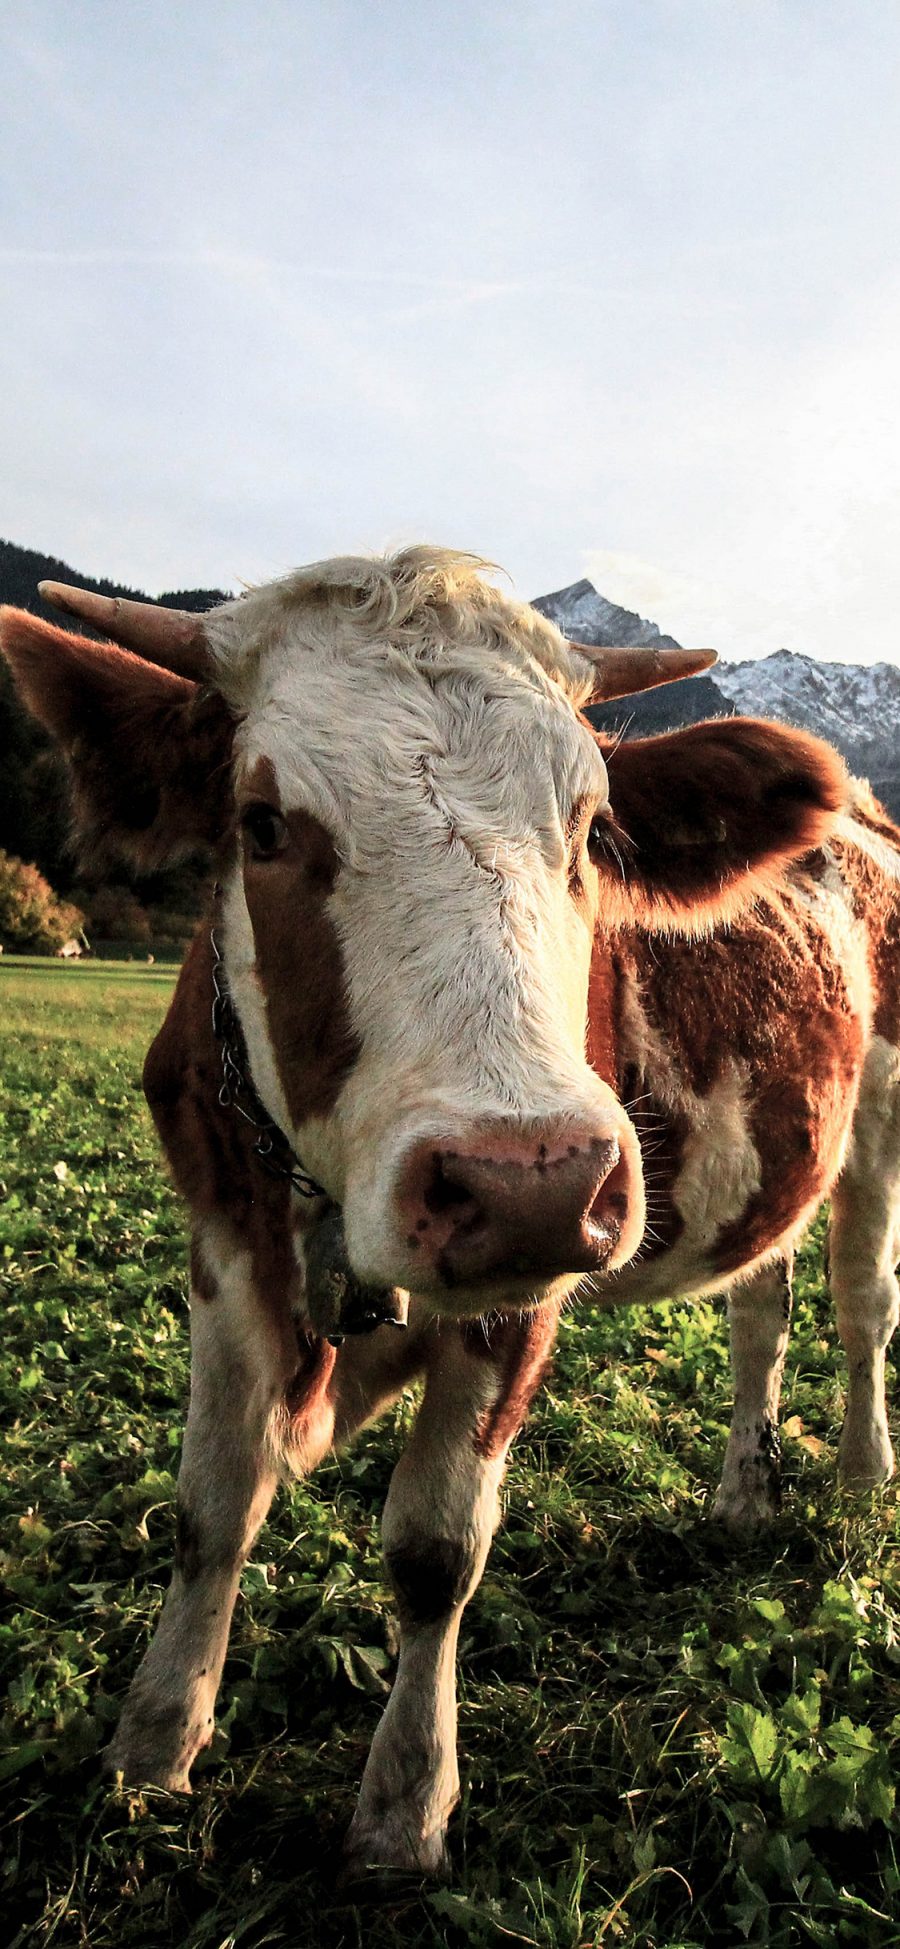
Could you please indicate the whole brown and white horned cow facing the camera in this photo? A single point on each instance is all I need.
(472, 952)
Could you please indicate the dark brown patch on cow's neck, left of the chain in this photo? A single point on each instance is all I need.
(211, 1149)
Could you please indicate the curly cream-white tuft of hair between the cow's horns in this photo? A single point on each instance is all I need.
(428, 605)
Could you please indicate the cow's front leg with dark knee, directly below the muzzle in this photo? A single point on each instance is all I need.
(437, 1529)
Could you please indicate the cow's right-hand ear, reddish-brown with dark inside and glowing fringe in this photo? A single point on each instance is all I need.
(706, 818)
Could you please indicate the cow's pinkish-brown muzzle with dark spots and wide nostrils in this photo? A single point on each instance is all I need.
(513, 1204)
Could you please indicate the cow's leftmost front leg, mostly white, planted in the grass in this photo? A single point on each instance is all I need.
(243, 1359)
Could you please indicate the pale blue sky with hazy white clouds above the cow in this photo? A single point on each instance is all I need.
(591, 287)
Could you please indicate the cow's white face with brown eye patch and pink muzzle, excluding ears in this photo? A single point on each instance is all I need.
(408, 933)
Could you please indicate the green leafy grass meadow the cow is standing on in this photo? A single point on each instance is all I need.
(665, 1741)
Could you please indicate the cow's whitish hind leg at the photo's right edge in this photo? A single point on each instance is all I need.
(864, 1252)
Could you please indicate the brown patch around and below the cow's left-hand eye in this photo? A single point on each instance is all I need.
(301, 962)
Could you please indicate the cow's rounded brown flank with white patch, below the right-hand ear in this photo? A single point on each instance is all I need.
(739, 1057)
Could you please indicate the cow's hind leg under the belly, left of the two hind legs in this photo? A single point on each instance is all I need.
(761, 1318)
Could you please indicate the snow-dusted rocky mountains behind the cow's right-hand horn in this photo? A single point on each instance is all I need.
(856, 707)
